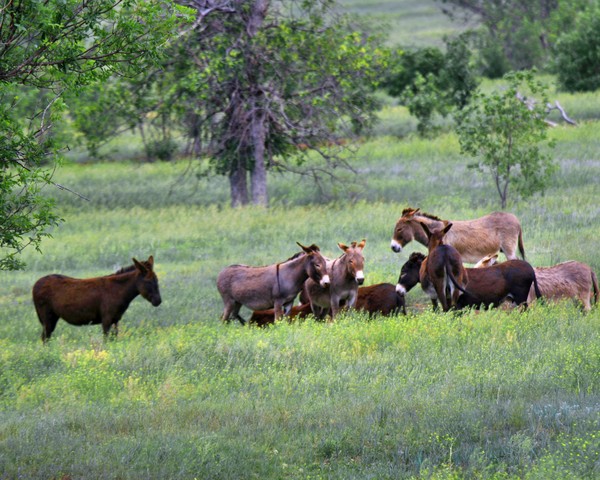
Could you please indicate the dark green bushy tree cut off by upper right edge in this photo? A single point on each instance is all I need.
(578, 53)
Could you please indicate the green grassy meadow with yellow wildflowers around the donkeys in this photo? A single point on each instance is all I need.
(487, 395)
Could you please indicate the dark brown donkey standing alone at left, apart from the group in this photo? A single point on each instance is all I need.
(92, 301)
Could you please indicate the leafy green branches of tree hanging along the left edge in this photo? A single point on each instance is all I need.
(46, 49)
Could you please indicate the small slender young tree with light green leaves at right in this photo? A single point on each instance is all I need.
(505, 130)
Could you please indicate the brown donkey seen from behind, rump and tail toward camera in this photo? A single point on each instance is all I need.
(443, 276)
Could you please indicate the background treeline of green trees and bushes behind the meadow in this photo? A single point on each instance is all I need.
(253, 88)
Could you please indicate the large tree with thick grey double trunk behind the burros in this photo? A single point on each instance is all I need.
(256, 85)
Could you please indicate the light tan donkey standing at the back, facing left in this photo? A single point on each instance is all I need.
(473, 239)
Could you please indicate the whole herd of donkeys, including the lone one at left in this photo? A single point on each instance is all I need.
(327, 286)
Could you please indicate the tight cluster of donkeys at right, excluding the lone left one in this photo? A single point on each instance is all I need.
(327, 285)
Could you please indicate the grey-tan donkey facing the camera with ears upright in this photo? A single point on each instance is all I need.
(346, 274)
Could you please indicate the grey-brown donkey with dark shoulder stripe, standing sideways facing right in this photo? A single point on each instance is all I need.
(272, 286)
